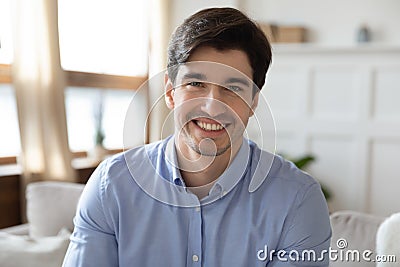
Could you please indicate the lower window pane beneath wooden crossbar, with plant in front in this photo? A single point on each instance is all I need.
(82, 104)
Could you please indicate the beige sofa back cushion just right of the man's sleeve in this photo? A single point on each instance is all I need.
(353, 231)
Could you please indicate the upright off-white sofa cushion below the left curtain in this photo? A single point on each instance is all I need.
(51, 206)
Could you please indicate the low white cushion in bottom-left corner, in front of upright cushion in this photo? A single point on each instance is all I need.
(21, 251)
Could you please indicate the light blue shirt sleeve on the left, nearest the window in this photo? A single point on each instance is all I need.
(93, 241)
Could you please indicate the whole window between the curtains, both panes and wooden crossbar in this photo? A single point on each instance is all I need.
(103, 47)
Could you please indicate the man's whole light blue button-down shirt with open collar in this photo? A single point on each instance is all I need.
(136, 211)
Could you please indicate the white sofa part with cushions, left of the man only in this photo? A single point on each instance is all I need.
(44, 240)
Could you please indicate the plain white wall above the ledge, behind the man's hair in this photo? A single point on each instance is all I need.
(330, 22)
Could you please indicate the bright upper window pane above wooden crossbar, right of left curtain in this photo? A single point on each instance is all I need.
(107, 37)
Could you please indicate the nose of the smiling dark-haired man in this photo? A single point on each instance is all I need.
(213, 104)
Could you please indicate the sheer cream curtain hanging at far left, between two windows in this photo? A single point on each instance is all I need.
(39, 85)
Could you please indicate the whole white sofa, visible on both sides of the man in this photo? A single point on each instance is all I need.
(52, 205)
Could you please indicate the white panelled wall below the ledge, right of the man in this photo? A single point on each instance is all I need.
(341, 106)
